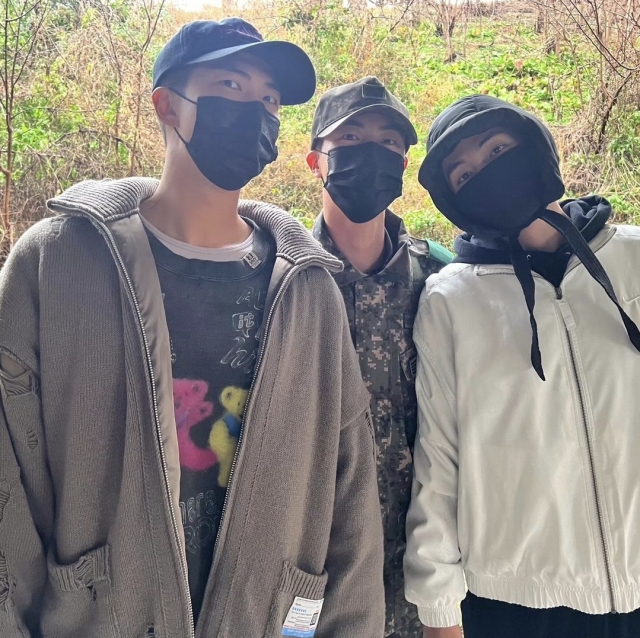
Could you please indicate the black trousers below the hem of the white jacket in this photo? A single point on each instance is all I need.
(485, 618)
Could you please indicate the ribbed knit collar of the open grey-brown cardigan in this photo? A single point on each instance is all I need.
(106, 201)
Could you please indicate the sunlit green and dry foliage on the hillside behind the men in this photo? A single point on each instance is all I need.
(78, 109)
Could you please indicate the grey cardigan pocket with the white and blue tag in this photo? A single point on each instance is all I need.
(294, 583)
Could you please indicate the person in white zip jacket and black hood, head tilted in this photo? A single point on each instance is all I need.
(527, 484)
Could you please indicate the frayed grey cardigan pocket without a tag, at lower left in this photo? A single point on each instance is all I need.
(77, 600)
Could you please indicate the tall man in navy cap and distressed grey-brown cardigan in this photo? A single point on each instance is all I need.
(185, 439)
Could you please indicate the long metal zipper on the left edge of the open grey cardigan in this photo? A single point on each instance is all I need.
(156, 414)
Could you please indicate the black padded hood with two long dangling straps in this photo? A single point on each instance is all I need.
(478, 113)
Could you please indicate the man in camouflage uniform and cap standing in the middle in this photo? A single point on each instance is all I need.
(360, 136)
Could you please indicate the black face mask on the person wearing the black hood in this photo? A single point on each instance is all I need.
(505, 195)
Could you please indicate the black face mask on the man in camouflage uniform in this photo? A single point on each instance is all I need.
(364, 179)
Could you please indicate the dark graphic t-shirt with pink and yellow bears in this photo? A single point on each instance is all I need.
(214, 314)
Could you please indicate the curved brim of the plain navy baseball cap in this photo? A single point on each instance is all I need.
(292, 69)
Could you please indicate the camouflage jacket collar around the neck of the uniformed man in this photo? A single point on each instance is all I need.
(398, 266)
